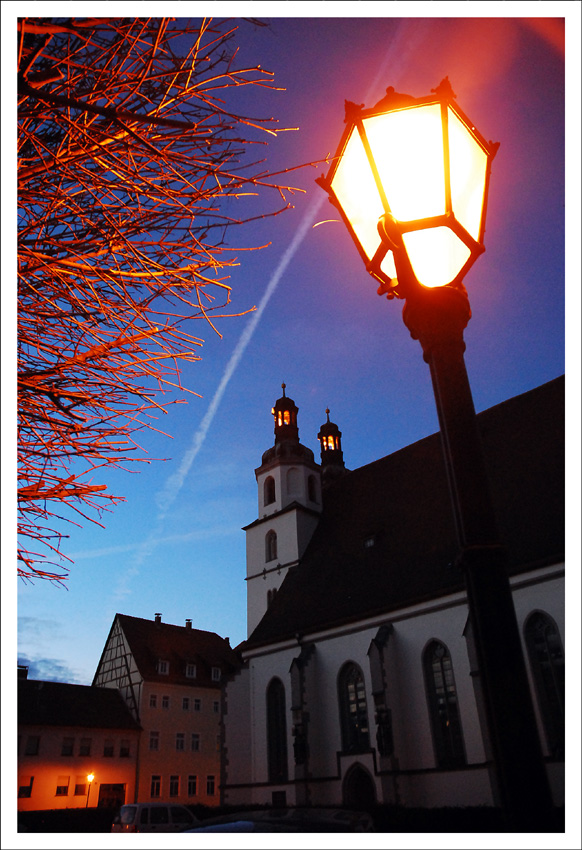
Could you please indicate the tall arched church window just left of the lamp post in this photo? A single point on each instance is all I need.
(443, 706)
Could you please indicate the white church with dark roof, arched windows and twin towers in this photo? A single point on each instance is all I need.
(357, 684)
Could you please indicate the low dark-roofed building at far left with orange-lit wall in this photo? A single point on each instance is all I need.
(67, 733)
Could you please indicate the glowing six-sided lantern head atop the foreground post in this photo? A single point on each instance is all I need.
(410, 180)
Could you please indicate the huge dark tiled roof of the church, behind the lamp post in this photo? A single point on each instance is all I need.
(402, 503)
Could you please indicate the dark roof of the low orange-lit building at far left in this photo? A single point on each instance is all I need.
(60, 704)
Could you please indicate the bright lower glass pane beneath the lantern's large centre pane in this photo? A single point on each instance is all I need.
(437, 255)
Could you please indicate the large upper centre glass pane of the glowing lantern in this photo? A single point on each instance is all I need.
(407, 146)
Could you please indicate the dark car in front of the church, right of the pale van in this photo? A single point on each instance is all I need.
(289, 820)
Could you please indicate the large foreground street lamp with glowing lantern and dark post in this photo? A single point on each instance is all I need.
(410, 180)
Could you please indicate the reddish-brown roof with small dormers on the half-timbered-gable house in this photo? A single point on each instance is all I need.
(150, 641)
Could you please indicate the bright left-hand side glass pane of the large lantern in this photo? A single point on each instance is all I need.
(355, 188)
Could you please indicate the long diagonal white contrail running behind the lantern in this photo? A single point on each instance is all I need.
(405, 41)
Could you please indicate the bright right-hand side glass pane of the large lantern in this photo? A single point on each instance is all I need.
(468, 176)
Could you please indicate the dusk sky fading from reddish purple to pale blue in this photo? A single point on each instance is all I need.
(175, 545)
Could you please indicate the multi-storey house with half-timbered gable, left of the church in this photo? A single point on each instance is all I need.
(170, 678)
